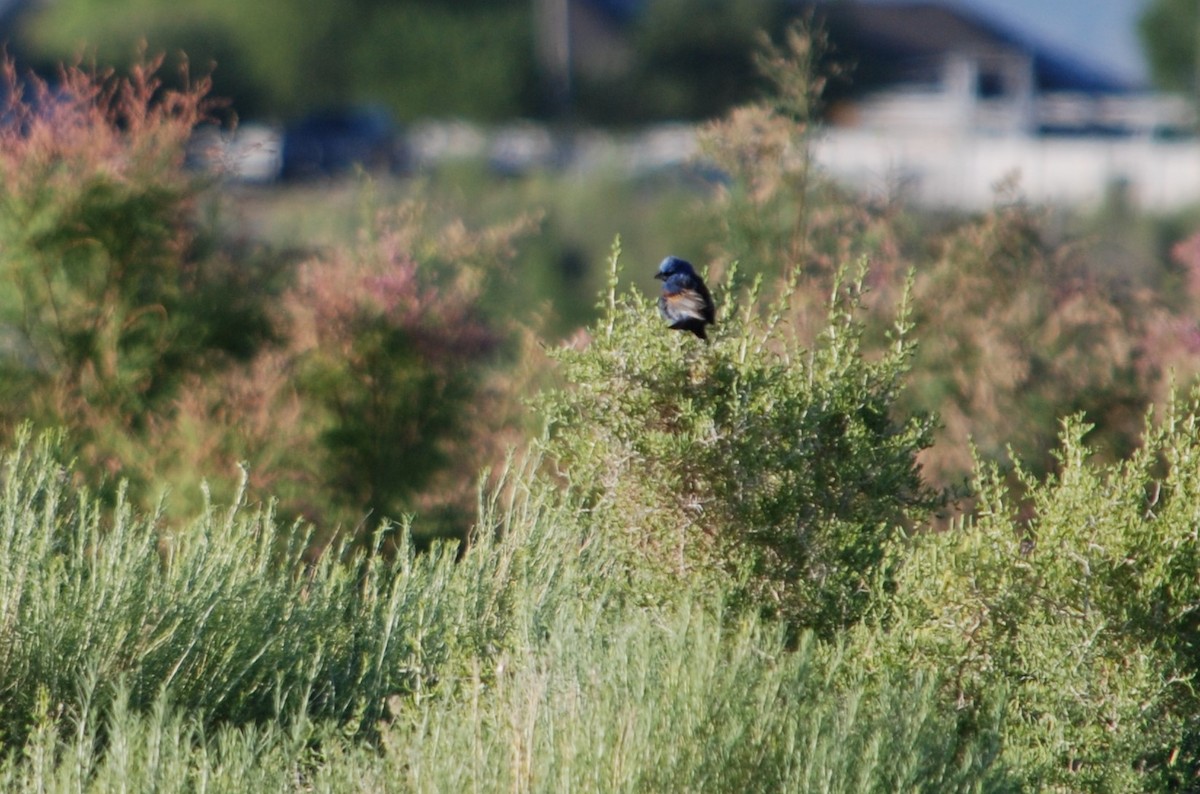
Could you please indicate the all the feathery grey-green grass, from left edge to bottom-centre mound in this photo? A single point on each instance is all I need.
(136, 657)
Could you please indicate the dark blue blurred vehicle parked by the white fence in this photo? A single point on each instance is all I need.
(338, 141)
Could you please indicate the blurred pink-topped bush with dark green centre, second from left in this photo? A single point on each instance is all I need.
(382, 396)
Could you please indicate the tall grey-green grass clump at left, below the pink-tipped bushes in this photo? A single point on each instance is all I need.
(235, 625)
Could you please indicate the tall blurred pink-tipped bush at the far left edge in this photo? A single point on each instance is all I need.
(116, 293)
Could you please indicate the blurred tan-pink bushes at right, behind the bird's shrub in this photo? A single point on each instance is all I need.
(1018, 315)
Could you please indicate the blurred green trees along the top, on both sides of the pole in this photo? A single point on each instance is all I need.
(421, 58)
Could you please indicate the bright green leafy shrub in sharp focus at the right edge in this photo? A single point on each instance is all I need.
(1076, 610)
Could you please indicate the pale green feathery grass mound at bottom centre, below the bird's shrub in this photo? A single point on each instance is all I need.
(686, 701)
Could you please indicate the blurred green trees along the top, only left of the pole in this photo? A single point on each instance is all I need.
(280, 58)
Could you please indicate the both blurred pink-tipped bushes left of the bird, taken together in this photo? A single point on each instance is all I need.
(167, 353)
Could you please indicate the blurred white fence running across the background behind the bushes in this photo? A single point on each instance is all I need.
(932, 170)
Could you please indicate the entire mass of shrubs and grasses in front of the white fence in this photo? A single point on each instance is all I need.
(665, 566)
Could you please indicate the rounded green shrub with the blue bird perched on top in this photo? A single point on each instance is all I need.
(751, 459)
